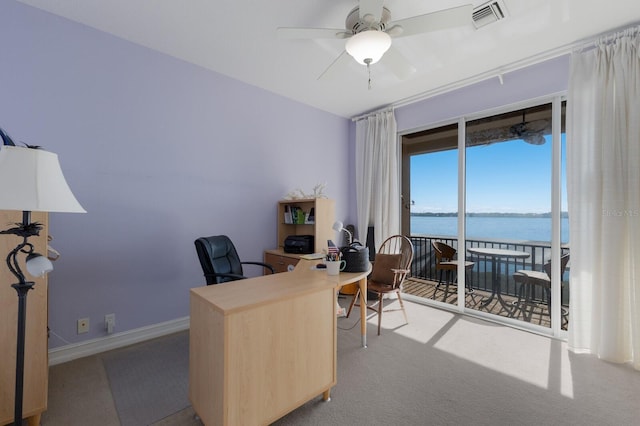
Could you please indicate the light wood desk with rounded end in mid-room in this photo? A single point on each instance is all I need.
(259, 348)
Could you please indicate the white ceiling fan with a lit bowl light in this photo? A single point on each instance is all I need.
(369, 30)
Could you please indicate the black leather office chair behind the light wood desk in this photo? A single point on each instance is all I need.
(219, 260)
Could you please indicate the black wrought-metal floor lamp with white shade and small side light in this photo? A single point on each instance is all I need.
(34, 182)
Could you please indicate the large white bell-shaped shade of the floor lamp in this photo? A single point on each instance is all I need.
(31, 180)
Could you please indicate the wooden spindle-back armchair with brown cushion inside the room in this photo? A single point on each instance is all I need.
(392, 265)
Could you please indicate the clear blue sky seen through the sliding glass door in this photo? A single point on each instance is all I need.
(507, 177)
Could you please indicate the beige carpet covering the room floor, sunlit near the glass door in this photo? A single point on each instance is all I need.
(441, 369)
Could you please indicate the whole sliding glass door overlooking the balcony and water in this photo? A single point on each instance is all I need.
(513, 194)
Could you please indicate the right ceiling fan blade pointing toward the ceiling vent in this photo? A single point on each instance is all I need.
(440, 20)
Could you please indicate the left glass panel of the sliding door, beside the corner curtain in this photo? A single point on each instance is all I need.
(430, 201)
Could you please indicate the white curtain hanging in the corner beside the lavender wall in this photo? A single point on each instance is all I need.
(377, 181)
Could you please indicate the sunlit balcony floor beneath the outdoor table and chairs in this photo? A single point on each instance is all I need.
(536, 314)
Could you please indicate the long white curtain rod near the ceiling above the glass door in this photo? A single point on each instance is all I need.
(501, 71)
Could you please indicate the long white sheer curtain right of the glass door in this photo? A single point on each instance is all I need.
(603, 186)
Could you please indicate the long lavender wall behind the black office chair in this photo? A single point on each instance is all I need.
(159, 152)
